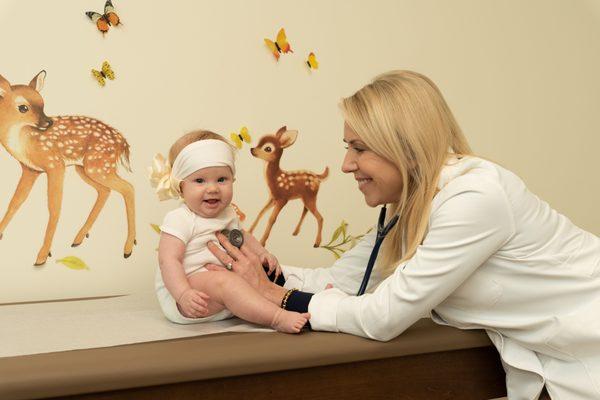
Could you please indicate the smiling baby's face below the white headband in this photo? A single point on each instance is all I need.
(208, 191)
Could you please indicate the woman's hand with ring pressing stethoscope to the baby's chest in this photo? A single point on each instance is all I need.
(243, 262)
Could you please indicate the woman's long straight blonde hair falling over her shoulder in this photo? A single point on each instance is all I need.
(403, 117)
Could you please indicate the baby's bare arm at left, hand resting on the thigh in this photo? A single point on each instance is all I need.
(192, 302)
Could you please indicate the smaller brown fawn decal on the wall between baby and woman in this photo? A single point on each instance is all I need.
(287, 185)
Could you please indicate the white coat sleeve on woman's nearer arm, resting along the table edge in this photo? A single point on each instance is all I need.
(471, 223)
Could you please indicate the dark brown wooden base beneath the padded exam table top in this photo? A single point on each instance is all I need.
(461, 374)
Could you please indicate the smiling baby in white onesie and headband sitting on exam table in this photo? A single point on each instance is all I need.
(202, 174)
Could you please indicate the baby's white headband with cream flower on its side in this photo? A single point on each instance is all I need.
(194, 156)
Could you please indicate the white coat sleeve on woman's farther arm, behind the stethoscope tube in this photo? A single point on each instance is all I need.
(345, 274)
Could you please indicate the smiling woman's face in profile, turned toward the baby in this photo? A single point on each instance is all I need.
(378, 179)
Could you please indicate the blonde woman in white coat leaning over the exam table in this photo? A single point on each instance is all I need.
(472, 246)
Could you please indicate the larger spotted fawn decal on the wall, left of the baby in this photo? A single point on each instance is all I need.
(48, 145)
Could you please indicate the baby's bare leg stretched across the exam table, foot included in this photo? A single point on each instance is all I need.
(244, 301)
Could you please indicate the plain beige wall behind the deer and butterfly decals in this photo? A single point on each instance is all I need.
(521, 77)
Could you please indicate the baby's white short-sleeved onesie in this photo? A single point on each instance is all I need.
(195, 231)
